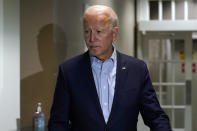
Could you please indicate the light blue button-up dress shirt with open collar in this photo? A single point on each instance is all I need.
(105, 77)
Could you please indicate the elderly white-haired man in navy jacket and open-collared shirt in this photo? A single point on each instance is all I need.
(102, 89)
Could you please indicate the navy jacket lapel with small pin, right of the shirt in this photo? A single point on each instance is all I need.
(121, 72)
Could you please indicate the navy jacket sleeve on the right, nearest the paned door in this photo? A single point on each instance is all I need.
(152, 114)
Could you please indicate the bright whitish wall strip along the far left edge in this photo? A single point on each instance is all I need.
(9, 64)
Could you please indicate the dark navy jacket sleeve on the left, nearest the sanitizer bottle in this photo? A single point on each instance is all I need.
(59, 117)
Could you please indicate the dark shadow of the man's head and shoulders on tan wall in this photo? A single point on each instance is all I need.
(40, 86)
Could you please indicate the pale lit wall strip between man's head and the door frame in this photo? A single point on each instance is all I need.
(126, 13)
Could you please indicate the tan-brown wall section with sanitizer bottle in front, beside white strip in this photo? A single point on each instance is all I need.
(37, 60)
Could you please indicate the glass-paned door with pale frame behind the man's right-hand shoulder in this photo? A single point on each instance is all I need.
(169, 59)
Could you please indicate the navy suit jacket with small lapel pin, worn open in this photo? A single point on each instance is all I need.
(76, 104)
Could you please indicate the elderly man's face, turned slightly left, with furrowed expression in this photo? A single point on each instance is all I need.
(99, 35)
